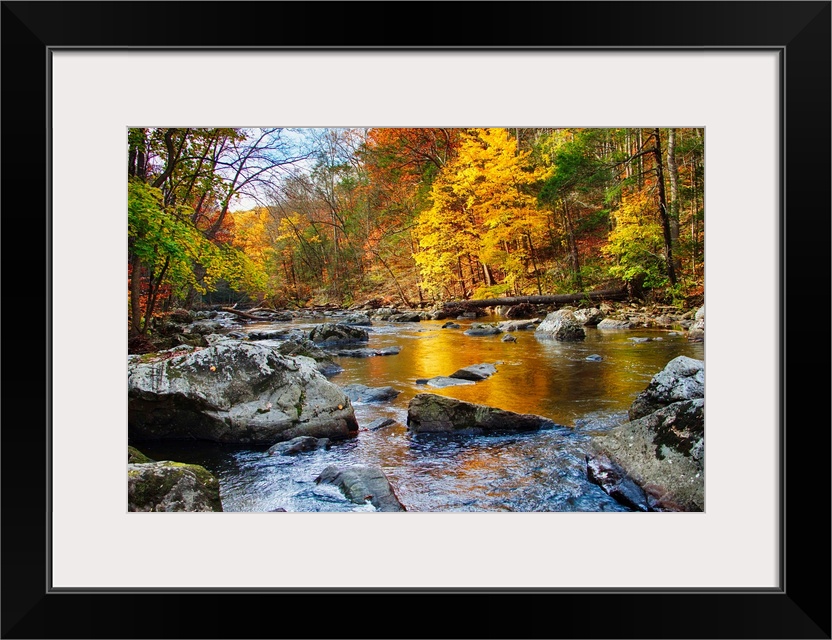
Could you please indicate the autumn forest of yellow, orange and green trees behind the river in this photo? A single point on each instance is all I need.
(287, 218)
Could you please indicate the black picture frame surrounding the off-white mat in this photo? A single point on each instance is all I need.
(800, 608)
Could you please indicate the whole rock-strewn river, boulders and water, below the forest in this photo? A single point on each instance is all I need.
(270, 393)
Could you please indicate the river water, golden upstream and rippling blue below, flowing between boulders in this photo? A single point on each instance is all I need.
(538, 471)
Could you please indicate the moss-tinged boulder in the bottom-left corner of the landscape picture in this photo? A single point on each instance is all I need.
(171, 486)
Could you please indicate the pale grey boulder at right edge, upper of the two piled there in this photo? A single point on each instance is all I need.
(683, 378)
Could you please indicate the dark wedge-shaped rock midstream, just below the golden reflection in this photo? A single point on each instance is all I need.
(430, 413)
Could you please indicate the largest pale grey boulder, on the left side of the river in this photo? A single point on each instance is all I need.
(235, 393)
